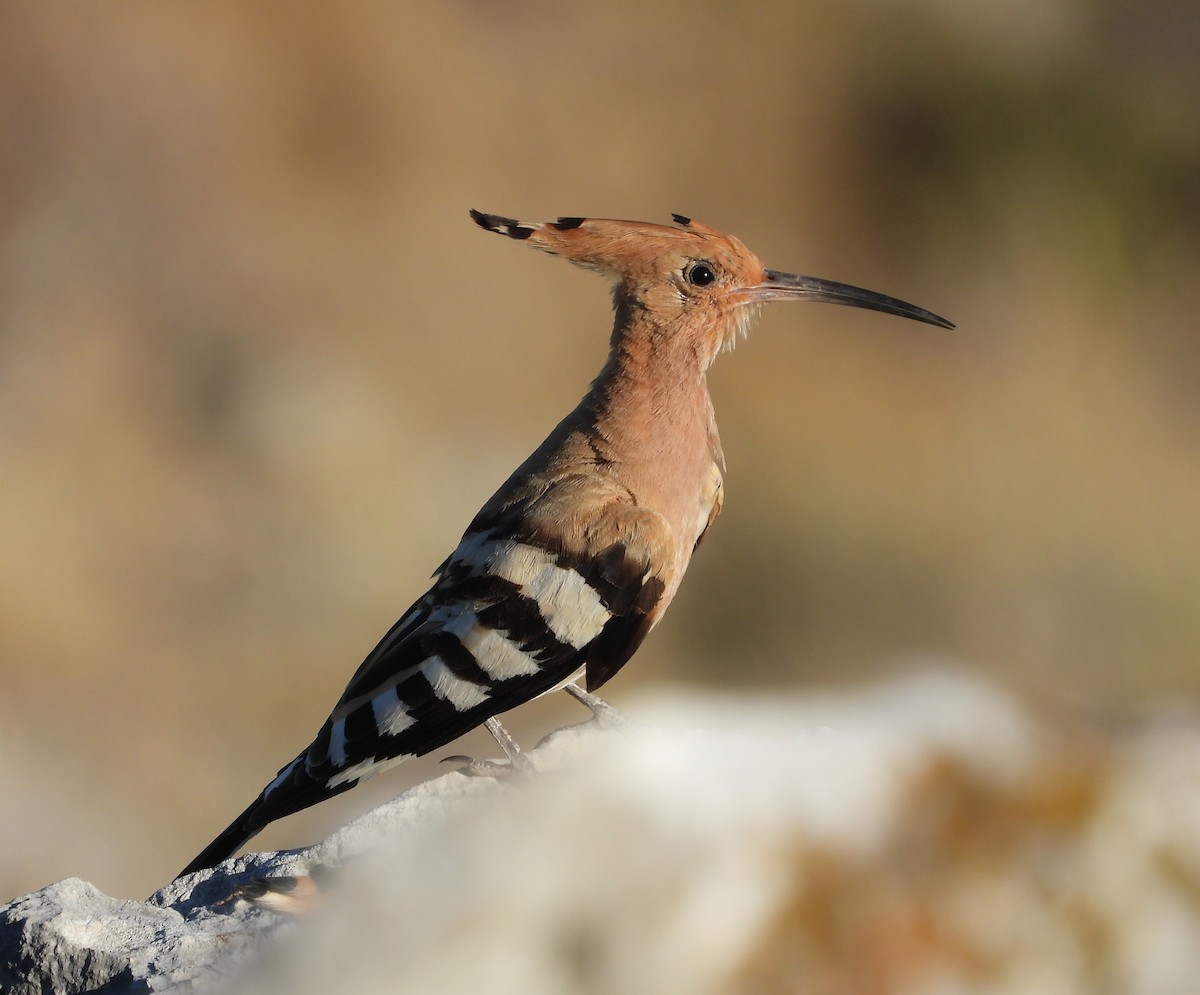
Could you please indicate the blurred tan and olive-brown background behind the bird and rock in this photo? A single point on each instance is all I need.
(257, 365)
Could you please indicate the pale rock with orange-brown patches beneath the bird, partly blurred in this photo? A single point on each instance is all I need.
(925, 836)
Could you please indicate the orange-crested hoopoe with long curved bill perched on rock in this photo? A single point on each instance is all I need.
(579, 554)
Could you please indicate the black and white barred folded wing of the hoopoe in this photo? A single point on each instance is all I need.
(505, 622)
